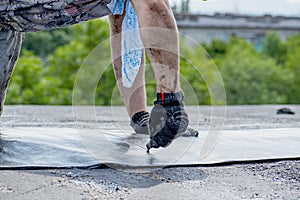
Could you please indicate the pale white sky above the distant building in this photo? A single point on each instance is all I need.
(254, 7)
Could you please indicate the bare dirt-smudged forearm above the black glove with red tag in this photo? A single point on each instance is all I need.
(158, 14)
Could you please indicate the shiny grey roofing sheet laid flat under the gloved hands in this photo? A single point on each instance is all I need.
(66, 147)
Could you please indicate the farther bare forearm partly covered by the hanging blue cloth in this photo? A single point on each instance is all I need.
(135, 97)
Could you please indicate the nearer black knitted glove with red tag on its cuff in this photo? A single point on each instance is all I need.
(168, 119)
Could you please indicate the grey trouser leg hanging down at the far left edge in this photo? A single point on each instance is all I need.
(10, 44)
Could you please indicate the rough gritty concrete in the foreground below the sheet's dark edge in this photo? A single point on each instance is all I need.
(249, 181)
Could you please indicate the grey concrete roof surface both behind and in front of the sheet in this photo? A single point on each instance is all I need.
(262, 180)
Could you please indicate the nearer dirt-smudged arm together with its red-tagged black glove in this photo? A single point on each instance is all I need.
(168, 118)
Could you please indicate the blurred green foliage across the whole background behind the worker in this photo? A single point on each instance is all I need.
(45, 74)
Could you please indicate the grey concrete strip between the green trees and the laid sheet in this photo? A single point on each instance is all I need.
(237, 117)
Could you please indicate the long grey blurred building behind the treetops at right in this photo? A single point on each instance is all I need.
(205, 28)
